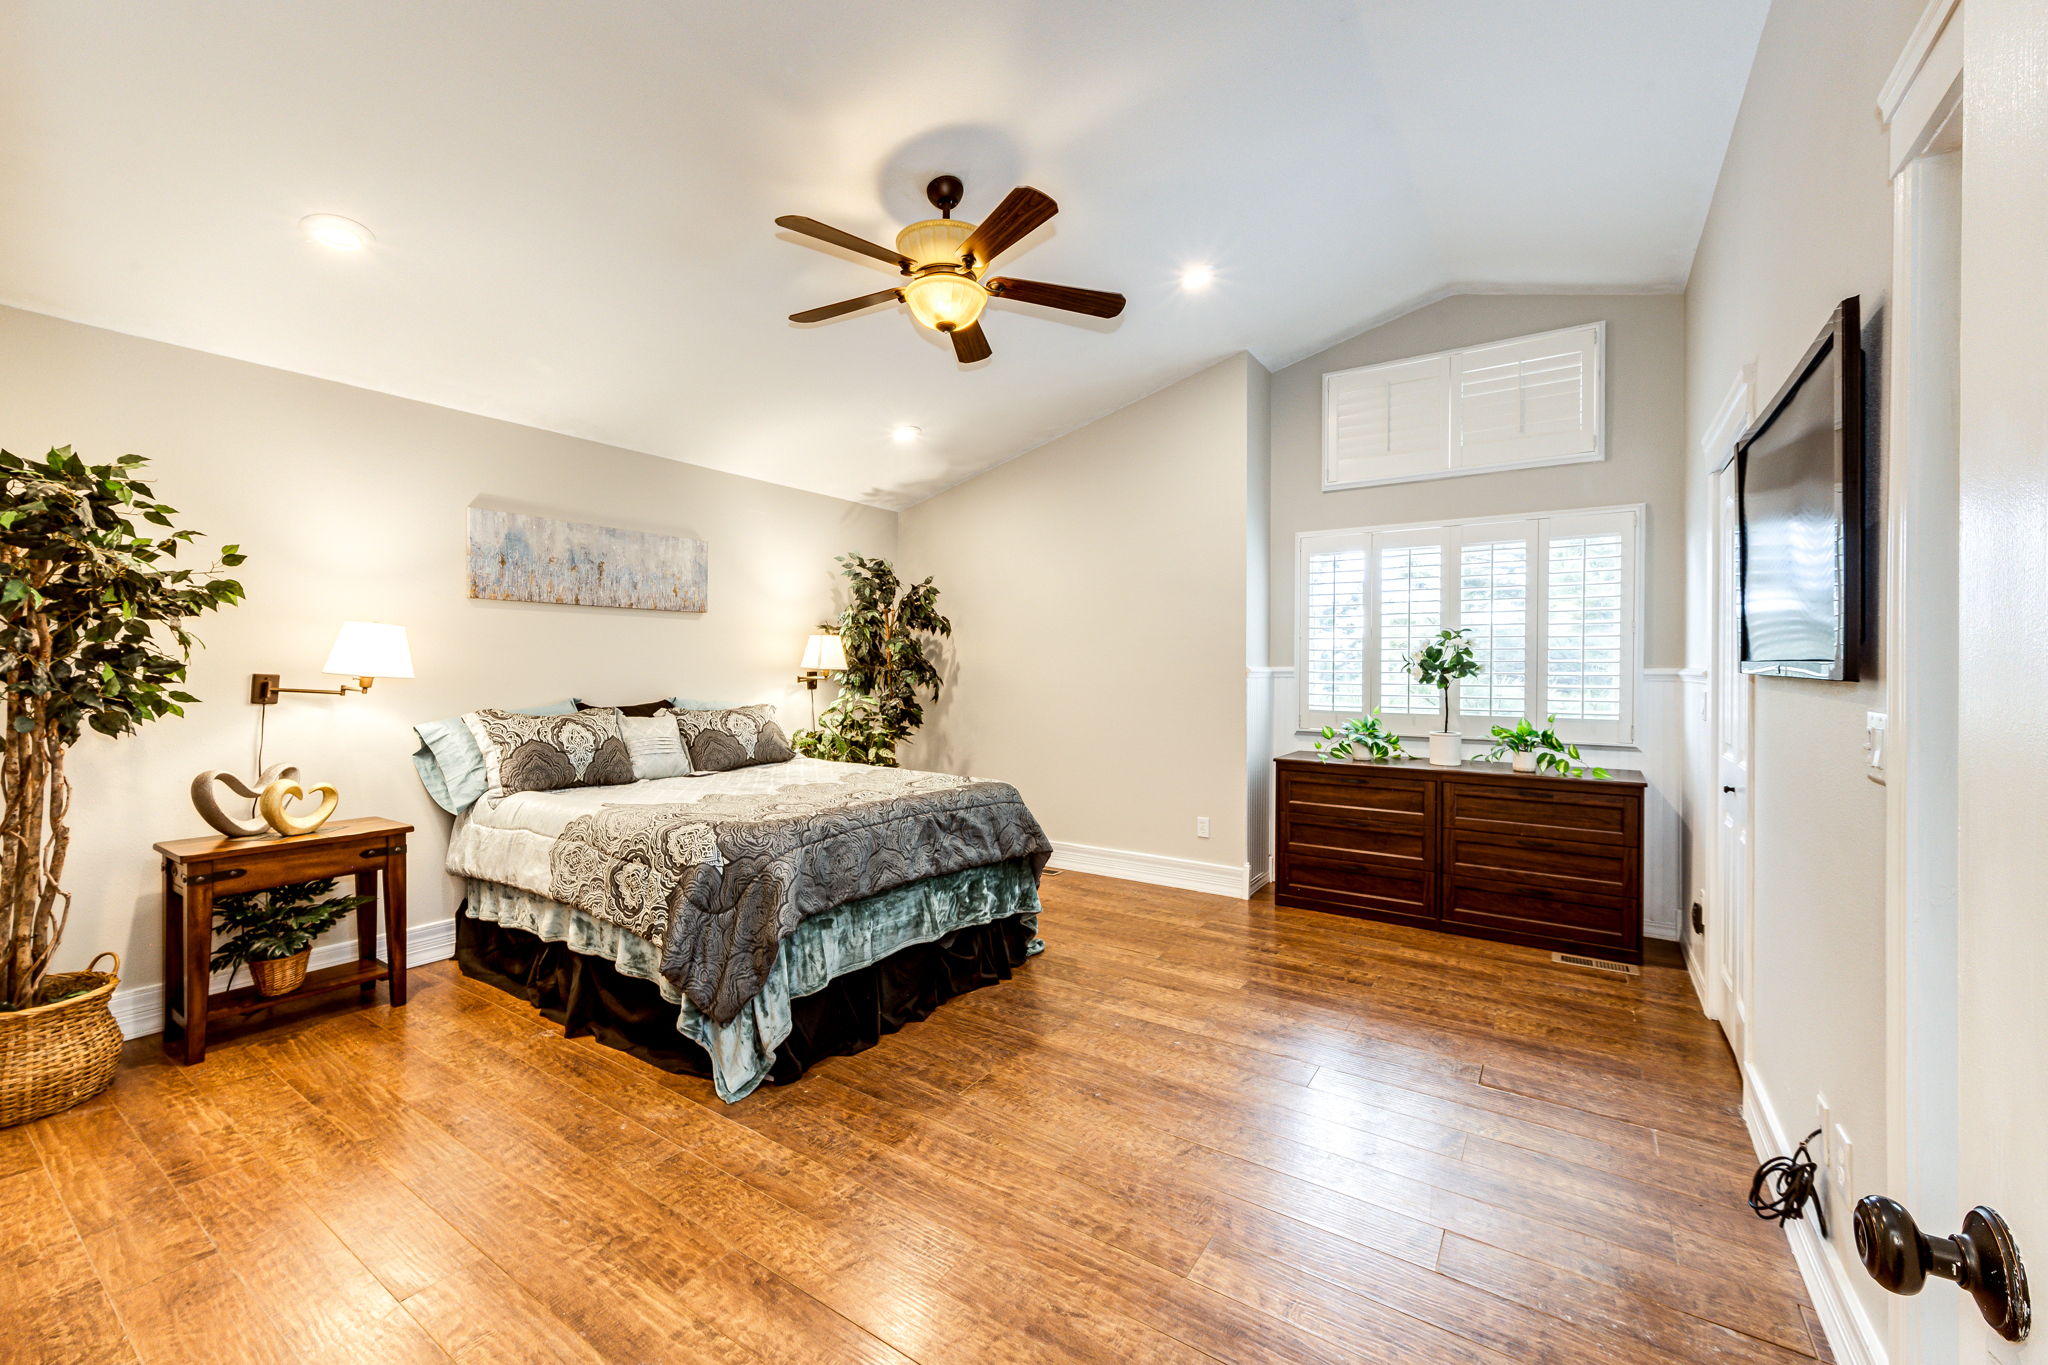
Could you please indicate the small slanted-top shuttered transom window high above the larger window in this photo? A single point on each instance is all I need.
(1533, 400)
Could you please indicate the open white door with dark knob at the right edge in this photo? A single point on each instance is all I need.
(2004, 642)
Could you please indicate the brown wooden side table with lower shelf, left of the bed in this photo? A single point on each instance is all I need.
(196, 871)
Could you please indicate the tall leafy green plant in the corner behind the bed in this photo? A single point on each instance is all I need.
(884, 631)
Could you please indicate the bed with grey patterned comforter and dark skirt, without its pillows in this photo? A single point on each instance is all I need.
(749, 924)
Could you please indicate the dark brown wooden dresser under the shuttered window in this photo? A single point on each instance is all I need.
(1480, 850)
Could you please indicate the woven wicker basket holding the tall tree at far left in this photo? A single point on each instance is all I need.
(54, 1057)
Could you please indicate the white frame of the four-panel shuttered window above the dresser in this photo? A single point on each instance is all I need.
(1455, 535)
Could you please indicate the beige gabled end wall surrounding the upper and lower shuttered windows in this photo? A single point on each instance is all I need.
(1646, 445)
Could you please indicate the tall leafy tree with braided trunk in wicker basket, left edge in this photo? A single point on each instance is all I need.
(93, 633)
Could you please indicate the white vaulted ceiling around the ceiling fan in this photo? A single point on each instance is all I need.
(574, 202)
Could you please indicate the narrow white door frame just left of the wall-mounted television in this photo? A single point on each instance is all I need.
(1732, 875)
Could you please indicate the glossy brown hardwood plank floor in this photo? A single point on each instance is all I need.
(1193, 1131)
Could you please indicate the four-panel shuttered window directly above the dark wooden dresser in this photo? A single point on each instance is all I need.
(1551, 603)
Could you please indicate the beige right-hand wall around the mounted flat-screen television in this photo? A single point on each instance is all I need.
(1799, 222)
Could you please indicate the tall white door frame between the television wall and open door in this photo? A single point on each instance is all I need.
(1922, 107)
